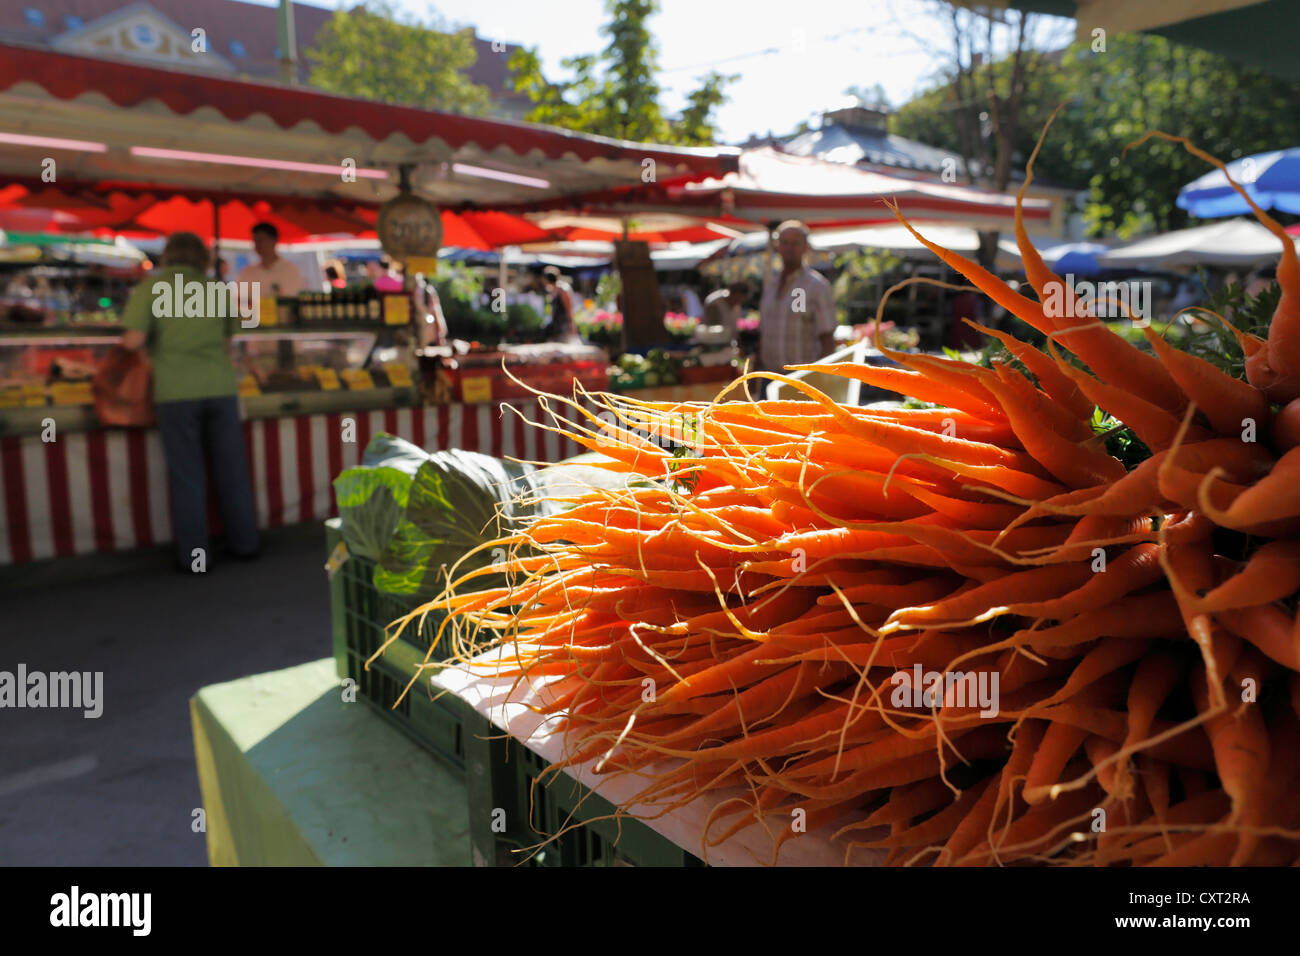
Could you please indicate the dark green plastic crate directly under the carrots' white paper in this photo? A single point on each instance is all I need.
(500, 775)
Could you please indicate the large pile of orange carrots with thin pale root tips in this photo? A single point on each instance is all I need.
(744, 620)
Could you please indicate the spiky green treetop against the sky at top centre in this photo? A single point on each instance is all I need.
(616, 93)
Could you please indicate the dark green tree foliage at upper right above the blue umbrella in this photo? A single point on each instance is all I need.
(1113, 94)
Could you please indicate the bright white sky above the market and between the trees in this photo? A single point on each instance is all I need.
(795, 58)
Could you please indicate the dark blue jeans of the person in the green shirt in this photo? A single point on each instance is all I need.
(187, 430)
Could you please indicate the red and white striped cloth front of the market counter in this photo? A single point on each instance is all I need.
(106, 490)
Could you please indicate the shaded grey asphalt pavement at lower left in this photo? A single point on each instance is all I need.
(122, 789)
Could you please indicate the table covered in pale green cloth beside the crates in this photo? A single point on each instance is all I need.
(293, 775)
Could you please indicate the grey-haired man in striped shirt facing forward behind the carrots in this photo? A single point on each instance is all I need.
(798, 312)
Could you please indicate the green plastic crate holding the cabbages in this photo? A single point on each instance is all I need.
(359, 616)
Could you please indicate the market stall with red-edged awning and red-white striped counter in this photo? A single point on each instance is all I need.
(318, 366)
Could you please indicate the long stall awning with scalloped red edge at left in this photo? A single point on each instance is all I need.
(106, 122)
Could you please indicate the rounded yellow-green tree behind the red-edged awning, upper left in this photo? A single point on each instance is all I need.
(374, 53)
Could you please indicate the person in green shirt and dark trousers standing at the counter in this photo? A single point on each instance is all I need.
(196, 396)
